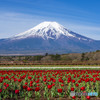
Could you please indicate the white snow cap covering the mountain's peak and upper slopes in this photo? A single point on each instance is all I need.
(45, 30)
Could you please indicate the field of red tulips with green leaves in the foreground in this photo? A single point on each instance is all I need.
(48, 84)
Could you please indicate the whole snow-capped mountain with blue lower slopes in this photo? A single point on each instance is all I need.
(47, 37)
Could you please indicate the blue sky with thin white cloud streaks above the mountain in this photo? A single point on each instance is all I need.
(81, 16)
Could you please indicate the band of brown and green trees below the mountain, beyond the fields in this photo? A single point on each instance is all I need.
(71, 58)
